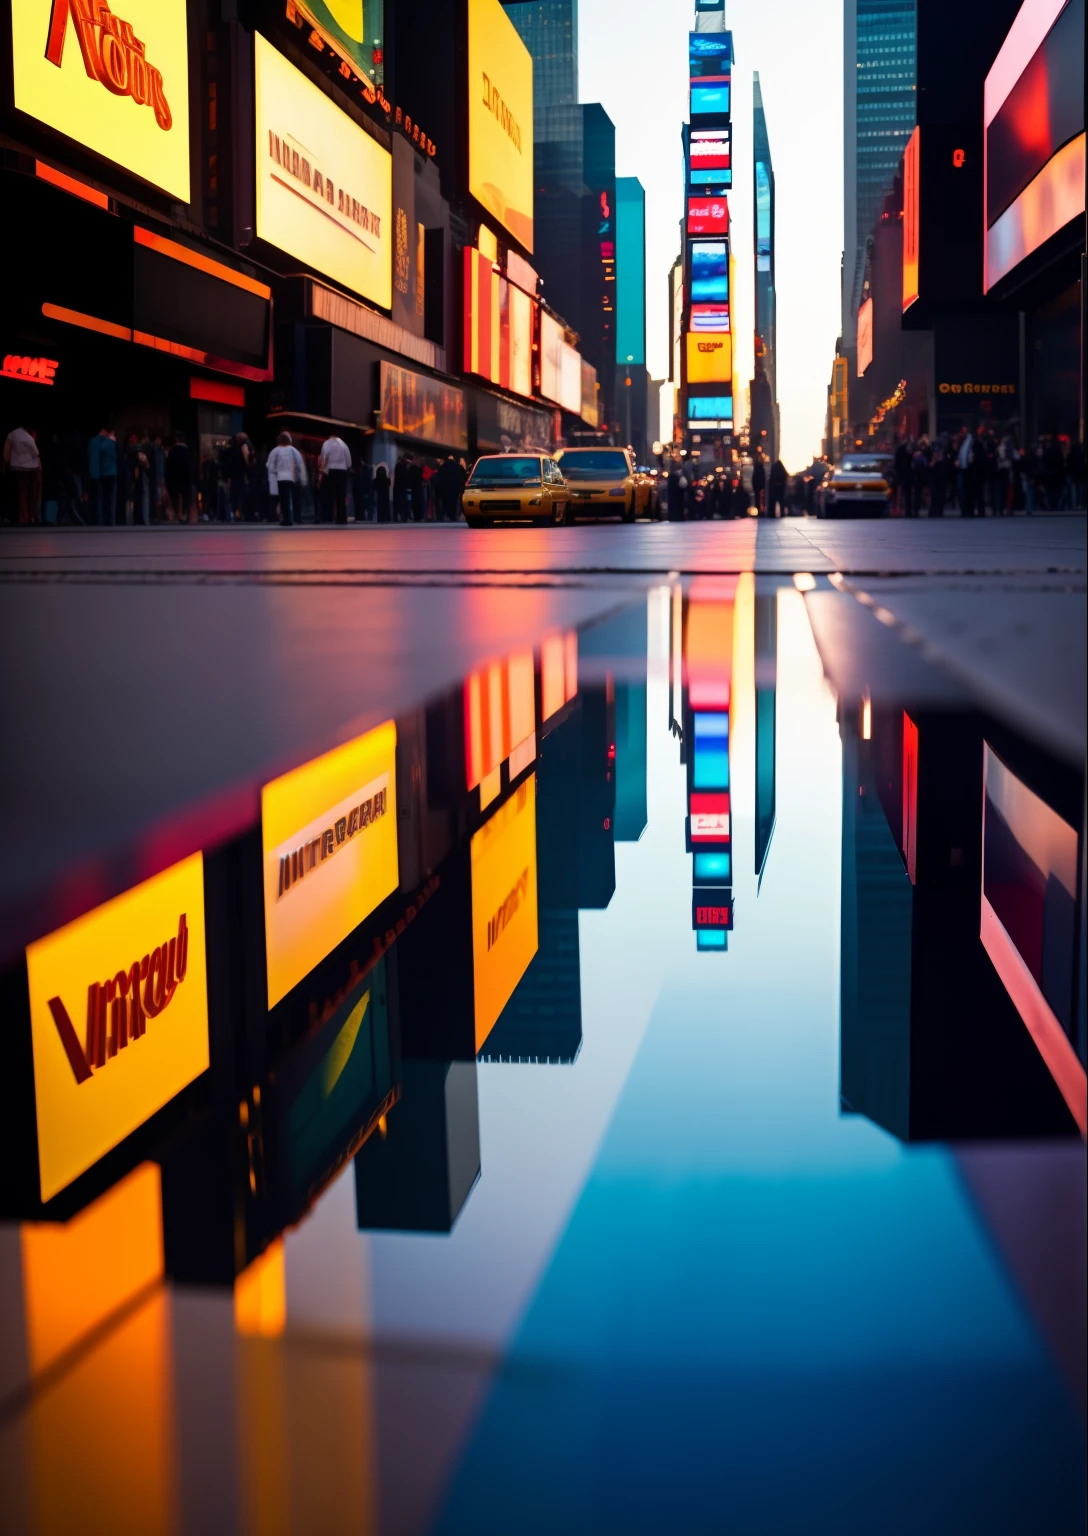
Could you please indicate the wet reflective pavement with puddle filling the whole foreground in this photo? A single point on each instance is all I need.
(545, 1033)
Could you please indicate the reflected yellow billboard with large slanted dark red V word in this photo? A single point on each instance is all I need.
(119, 1019)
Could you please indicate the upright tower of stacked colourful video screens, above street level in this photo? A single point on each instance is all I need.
(709, 331)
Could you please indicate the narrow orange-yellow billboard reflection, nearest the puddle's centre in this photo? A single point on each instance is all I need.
(503, 905)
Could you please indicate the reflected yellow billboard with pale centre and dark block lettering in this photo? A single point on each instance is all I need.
(330, 846)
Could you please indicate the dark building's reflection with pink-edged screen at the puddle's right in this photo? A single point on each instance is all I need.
(958, 929)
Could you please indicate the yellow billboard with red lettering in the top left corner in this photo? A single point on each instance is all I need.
(114, 82)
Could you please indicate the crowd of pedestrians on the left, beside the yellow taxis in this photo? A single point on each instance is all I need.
(148, 478)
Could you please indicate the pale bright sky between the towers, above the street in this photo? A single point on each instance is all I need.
(634, 61)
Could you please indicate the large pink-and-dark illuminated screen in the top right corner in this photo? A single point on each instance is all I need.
(1035, 134)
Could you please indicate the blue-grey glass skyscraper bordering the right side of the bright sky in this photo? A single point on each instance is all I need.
(880, 111)
